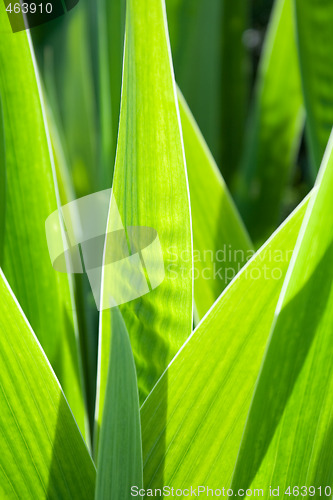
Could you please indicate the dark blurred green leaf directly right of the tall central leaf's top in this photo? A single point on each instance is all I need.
(211, 67)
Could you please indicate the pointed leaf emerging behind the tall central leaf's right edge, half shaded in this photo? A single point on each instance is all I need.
(220, 240)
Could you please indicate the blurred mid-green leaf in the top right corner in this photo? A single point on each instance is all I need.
(315, 41)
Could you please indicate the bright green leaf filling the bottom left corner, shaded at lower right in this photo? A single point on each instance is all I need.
(43, 454)
